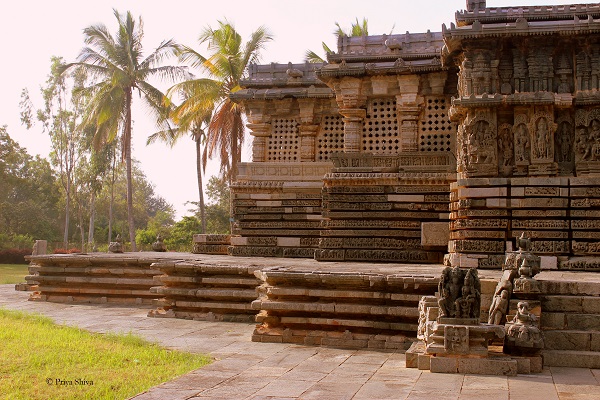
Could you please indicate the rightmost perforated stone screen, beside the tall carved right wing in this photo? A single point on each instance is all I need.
(436, 132)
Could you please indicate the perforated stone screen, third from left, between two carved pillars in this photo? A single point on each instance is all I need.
(380, 132)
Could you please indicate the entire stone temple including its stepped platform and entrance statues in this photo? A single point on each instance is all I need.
(477, 147)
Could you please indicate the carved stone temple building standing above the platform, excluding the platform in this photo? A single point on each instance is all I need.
(417, 147)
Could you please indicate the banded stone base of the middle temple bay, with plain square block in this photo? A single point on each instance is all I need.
(374, 212)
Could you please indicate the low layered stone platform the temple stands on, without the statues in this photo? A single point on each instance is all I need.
(335, 304)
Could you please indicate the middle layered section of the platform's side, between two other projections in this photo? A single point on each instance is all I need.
(193, 290)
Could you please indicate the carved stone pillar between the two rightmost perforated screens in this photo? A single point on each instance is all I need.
(409, 110)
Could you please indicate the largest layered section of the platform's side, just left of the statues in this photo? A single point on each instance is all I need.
(340, 309)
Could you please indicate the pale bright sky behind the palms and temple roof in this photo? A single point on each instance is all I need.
(35, 30)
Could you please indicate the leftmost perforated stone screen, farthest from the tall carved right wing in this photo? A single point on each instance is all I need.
(284, 142)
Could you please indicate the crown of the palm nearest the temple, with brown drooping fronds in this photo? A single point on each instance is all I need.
(225, 67)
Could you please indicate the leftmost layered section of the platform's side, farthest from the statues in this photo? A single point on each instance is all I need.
(94, 278)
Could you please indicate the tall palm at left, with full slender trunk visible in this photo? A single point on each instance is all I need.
(119, 69)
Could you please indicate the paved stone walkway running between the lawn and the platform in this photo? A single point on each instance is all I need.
(247, 370)
